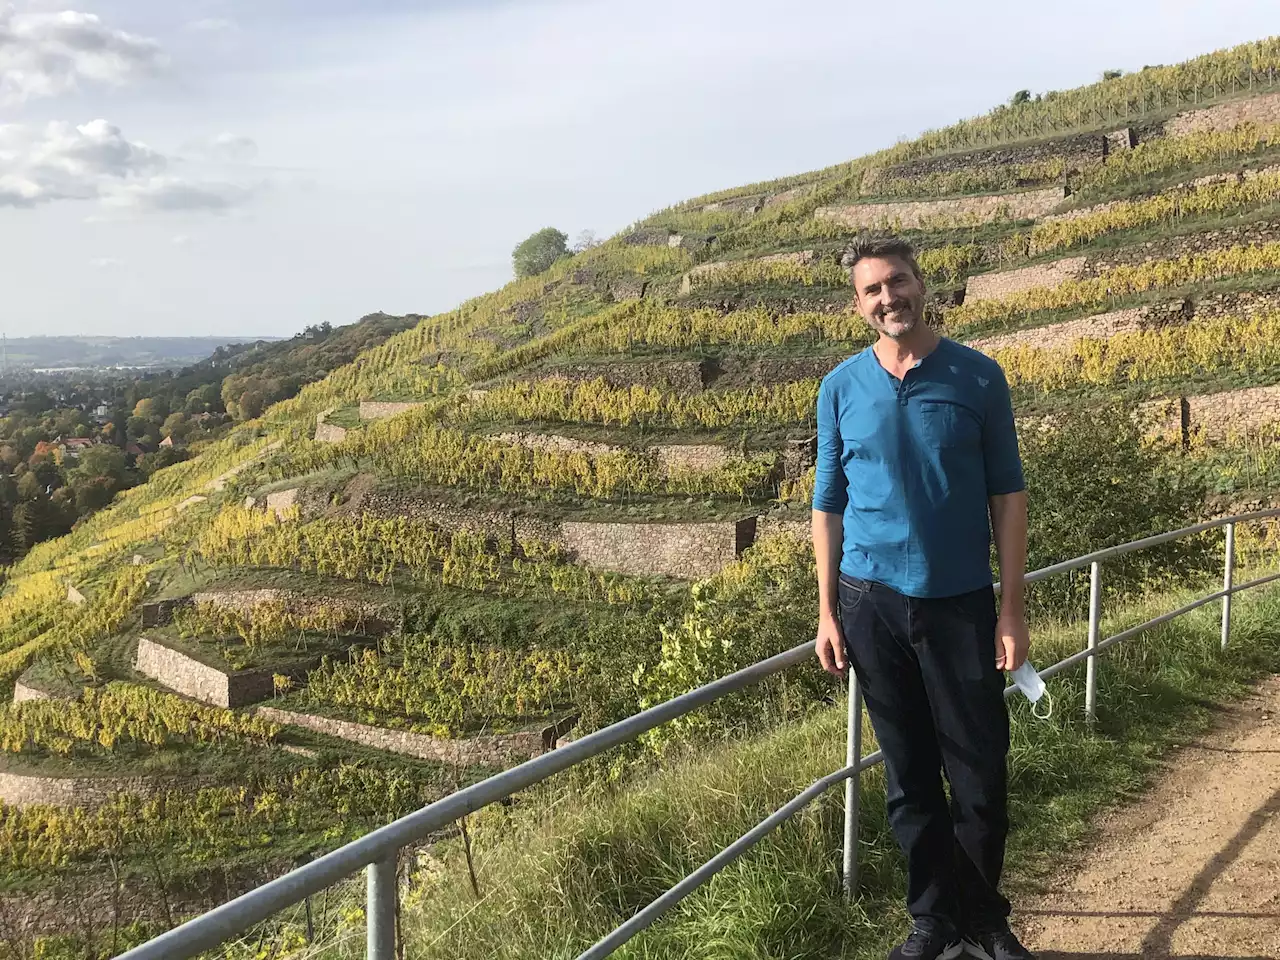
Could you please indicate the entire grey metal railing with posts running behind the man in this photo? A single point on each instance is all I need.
(378, 851)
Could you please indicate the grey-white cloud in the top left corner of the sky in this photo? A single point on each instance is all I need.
(47, 54)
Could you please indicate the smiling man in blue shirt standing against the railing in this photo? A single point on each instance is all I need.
(917, 467)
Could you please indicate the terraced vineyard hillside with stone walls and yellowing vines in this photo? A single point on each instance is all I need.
(588, 491)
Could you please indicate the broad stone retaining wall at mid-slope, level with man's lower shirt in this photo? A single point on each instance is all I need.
(687, 551)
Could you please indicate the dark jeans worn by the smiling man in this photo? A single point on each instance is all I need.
(927, 670)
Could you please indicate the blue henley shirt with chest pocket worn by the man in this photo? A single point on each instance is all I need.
(912, 463)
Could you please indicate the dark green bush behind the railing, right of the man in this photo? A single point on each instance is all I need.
(1094, 482)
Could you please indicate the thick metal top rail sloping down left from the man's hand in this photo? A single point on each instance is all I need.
(225, 922)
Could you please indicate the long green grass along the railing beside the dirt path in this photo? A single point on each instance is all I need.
(555, 884)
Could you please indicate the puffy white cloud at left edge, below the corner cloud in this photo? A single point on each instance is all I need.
(97, 162)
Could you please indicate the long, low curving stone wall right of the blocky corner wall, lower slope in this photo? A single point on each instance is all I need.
(495, 751)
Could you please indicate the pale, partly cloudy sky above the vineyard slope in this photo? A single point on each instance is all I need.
(248, 168)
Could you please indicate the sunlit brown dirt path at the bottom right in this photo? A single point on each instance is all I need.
(1194, 870)
